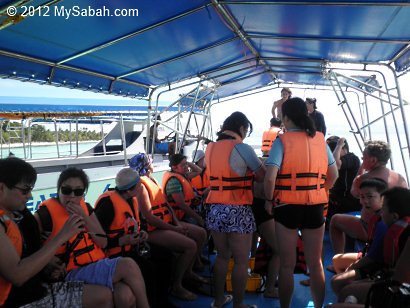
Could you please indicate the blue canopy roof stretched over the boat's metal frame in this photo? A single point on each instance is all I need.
(240, 45)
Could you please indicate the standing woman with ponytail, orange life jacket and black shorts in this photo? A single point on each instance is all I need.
(299, 169)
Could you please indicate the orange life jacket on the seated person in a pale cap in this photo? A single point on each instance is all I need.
(125, 221)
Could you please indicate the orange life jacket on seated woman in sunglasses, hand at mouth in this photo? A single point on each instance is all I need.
(80, 249)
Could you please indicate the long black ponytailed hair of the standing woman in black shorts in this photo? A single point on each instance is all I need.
(295, 109)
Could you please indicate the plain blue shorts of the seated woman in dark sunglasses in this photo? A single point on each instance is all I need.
(100, 273)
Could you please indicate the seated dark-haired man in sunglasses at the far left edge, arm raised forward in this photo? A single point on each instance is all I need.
(25, 266)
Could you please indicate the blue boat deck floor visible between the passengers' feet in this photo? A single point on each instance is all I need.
(301, 295)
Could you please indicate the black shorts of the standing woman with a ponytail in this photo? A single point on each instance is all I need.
(297, 216)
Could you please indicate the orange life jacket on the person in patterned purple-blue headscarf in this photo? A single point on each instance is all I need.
(158, 204)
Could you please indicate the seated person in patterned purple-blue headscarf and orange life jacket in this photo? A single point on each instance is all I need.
(165, 230)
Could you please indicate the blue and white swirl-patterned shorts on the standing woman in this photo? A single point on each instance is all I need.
(227, 218)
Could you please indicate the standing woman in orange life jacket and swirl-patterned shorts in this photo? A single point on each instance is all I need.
(232, 166)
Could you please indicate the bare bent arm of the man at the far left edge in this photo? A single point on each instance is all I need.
(17, 270)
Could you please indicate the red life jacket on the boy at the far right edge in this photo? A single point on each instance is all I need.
(391, 240)
